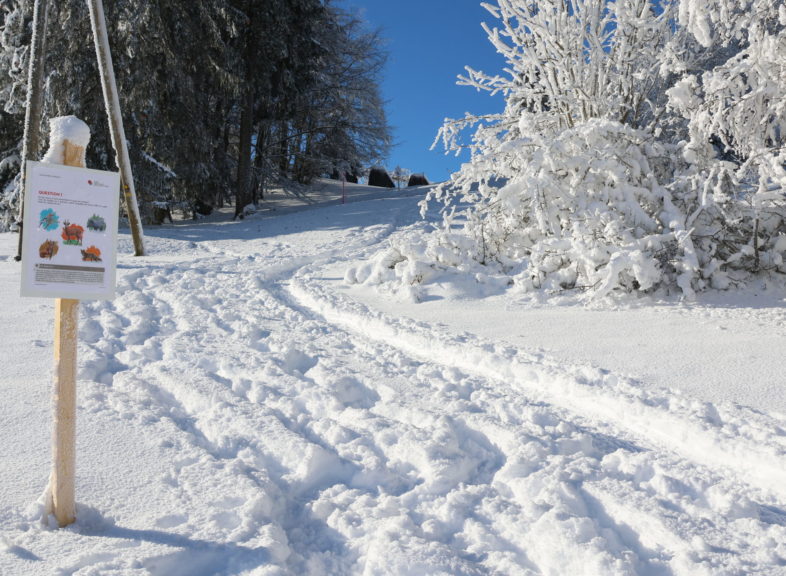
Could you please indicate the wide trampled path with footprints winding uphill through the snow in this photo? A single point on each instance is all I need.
(343, 441)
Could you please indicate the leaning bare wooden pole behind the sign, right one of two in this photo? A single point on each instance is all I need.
(112, 102)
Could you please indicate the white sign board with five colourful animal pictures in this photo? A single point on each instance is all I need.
(70, 232)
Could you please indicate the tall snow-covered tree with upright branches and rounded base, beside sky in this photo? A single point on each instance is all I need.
(563, 188)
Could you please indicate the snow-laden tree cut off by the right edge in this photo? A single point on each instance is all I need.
(731, 93)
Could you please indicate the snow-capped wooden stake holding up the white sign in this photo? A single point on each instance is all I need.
(68, 141)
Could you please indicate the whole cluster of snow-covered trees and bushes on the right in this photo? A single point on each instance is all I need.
(641, 146)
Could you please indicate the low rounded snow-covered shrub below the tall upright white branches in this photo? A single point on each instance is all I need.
(584, 210)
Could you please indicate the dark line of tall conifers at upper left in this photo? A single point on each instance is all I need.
(220, 98)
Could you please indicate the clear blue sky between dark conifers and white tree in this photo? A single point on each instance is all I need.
(429, 42)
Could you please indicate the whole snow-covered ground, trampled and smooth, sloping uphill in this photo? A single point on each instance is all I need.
(243, 410)
